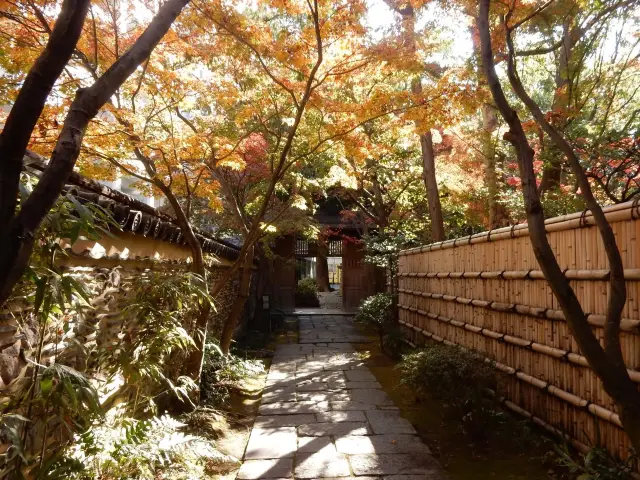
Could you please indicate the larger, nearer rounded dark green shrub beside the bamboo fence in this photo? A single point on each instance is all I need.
(458, 379)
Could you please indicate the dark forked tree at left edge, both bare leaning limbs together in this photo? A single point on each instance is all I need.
(17, 244)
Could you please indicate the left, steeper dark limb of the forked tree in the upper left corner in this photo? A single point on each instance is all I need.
(31, 100)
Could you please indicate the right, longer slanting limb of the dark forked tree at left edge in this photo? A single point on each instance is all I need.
(17, 243)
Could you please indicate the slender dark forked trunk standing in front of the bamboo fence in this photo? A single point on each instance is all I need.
(606, 362)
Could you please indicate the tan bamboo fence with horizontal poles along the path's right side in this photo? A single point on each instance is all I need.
(486, 292)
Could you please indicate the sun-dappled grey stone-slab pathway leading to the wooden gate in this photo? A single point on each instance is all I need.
(324, 415)
